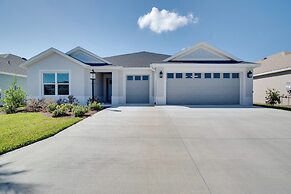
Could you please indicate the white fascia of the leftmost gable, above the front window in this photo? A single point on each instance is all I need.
(49, 52)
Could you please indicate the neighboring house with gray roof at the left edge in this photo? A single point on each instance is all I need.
(10, 70)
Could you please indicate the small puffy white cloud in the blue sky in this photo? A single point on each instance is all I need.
(164, 20)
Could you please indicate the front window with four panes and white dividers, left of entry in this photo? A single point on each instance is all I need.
(56, 84)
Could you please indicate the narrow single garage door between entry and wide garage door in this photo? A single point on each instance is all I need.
(137, 89)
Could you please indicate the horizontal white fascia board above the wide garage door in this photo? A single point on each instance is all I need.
(199, 65)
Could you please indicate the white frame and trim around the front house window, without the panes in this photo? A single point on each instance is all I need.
(56, 72)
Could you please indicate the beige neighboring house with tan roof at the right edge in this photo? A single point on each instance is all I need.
(275, 72)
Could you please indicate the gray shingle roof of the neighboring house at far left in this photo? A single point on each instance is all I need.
(9, 63)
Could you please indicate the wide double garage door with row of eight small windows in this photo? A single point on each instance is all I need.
(203, 88)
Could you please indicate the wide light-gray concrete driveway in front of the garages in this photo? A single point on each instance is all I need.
(159, 150)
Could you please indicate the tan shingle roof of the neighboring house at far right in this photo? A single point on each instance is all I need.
(277, 62)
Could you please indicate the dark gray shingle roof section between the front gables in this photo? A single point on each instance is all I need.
(139, 59)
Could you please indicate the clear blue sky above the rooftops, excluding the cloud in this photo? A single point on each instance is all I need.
(248, 29)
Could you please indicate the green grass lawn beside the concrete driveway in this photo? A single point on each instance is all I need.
(18, 130)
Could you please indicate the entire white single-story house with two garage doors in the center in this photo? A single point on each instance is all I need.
(201, 75)
